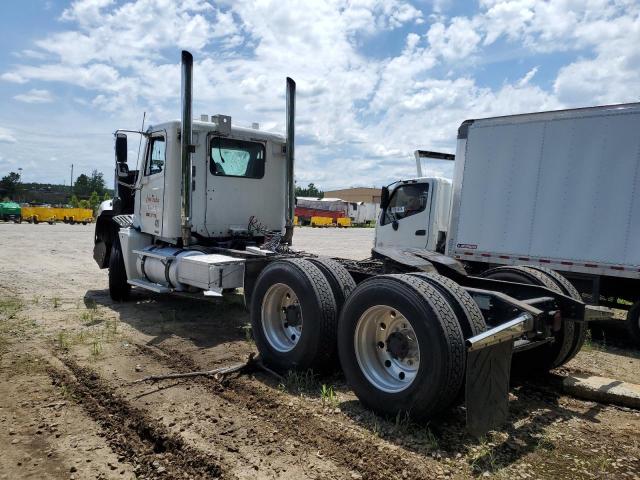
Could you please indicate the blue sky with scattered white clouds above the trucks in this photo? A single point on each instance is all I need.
(376, 79)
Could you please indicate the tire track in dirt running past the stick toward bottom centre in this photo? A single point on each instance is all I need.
(372, 460)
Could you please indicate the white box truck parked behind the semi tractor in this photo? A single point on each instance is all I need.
(557, 190)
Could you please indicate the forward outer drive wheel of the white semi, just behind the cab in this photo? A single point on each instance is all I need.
(294, 316)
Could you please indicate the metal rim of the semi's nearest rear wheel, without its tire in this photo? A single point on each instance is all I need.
(387, 349)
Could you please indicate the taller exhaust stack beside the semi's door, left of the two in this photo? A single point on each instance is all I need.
(186, 147)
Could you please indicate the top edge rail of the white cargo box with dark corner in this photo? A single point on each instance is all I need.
(600, 110)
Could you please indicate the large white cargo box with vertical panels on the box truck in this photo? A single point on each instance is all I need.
(556, 187)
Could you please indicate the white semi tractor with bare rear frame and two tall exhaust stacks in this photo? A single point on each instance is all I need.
(211, 210)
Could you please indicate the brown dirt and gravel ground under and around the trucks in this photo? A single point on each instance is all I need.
(69, 407)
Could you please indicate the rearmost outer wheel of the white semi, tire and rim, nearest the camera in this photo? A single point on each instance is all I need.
(401, 347)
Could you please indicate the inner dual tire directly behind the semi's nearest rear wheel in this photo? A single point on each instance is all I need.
(466, 309)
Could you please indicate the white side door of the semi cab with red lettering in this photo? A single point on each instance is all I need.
(152, 185)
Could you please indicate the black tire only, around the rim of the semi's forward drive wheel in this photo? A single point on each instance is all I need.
(316, 346)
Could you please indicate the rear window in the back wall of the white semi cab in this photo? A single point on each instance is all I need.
(237, 158)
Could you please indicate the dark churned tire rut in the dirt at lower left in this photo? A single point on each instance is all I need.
(148, 445)
